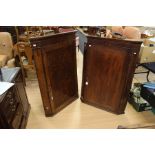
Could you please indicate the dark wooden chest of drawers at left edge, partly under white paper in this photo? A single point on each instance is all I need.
(14, 105)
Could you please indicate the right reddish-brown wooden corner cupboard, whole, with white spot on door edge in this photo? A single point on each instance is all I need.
(108, 70)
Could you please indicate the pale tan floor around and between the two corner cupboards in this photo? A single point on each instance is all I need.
(78, 114)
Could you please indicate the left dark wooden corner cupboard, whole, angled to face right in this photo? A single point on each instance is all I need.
(55, 61)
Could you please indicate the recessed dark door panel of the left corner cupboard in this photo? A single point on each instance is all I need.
(60, 65)
